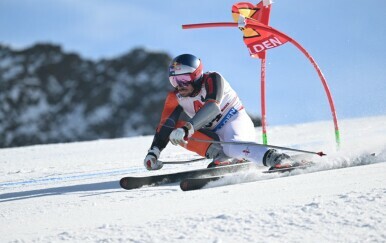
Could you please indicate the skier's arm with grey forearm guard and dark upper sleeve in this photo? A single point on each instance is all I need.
(214, 86)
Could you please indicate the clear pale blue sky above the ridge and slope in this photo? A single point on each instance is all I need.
(346, 38)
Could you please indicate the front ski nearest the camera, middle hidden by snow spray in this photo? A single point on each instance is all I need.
(190, 184)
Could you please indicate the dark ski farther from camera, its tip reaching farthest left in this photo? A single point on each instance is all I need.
(133, 182)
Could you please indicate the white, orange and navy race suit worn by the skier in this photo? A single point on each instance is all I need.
(227, 122)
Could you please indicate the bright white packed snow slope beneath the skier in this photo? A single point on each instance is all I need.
(70, 192)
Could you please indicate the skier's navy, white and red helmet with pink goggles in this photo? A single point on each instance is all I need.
(185, 69)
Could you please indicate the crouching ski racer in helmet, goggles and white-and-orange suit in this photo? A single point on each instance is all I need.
(214, 112)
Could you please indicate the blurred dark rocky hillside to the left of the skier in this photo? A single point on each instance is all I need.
(50, 96)
